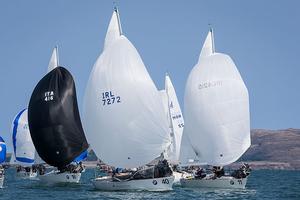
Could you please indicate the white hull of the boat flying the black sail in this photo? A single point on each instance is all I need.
(54, 177)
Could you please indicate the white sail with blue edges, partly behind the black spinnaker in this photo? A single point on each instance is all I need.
(22, 144)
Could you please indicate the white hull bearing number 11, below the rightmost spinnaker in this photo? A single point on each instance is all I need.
(222, 182)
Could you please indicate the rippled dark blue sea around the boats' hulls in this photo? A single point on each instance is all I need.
(262, 184)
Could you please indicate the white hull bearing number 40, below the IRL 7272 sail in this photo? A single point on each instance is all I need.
(155, 184)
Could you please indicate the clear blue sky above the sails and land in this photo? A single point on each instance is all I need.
(262, 37)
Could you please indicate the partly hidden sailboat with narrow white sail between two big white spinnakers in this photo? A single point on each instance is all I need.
(176, 124)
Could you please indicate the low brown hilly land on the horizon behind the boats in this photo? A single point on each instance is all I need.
(270, 149)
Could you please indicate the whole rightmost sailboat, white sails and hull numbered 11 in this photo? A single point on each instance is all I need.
(217, 122)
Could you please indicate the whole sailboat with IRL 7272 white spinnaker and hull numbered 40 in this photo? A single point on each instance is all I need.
(123, 115)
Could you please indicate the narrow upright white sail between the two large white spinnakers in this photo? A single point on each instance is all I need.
(175, 118)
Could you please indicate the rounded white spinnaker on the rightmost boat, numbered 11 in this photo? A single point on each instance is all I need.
(216, 102)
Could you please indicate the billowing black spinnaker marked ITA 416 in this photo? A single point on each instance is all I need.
(54, 120)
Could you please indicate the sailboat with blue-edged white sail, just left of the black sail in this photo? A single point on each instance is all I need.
(23, 149)
